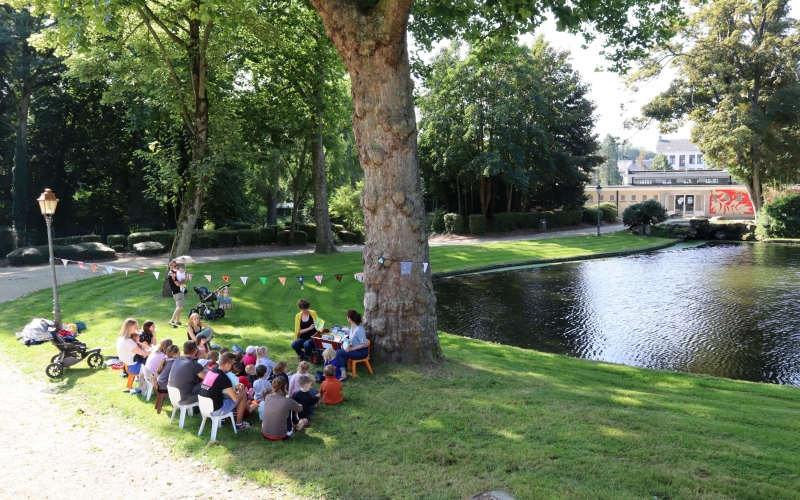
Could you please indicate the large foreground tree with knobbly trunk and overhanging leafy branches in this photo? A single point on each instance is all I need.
(400, 310)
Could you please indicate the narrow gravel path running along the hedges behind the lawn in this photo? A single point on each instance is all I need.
(16, 282)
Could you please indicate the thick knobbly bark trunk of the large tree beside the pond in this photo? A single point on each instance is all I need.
(399, 310)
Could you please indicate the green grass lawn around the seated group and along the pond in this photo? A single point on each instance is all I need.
(491, 417)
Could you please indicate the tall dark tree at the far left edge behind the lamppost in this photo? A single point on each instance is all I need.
(23, 67)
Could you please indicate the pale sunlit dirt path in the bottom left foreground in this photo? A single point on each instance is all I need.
(61, 450)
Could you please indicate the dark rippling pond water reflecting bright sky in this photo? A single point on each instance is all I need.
(730, 310)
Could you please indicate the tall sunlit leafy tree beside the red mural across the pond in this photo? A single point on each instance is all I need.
(737, 81)
